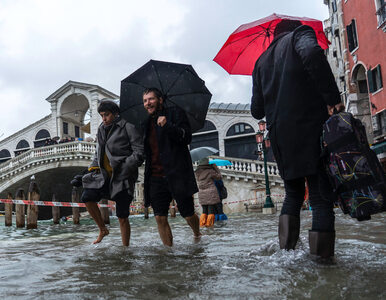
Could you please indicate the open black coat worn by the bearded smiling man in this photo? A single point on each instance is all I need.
(173, 140)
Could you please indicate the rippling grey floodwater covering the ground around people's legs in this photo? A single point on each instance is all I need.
(237, 259)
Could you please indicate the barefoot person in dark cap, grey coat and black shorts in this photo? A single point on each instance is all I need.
(114, 169)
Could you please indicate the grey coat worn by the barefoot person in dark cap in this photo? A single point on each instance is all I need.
(124, 149)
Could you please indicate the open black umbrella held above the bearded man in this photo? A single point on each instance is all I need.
(179, 84)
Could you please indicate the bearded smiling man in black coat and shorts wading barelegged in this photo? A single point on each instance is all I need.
(168, 169)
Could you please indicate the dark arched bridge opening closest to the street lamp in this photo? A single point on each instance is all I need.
(240, 141)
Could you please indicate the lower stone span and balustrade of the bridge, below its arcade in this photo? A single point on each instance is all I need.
(54, 167)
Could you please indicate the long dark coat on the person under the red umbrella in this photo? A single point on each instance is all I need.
(292, 86)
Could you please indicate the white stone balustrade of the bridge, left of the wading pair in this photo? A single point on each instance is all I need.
(66, 149)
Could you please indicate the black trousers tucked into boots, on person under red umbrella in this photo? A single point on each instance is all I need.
(321, 199)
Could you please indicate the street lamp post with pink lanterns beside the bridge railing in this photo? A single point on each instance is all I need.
(264, 143)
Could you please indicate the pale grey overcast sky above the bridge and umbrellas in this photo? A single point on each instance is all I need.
(45, 43)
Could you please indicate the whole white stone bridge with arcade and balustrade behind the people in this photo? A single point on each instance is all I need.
(229, 128)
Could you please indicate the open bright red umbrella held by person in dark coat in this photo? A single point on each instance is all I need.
(245, 45)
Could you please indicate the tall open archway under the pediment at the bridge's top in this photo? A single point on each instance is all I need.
(74, 116)
